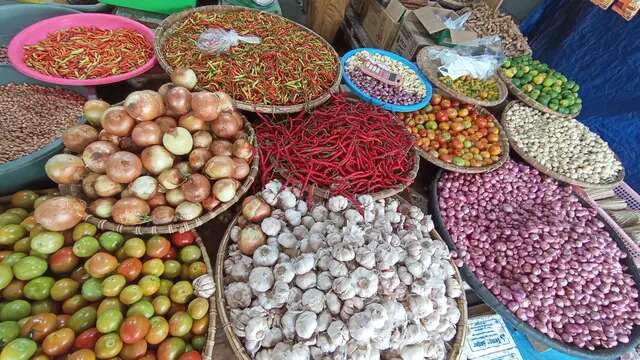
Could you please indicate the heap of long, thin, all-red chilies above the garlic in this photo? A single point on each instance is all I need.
(348, 147)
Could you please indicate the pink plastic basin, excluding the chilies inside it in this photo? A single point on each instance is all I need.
(38, 31)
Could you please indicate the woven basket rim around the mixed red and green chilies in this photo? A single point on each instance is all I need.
(168, 25)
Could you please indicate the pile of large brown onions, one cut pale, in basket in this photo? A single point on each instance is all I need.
(161, 157)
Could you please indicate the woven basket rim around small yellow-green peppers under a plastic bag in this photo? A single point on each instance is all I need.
(430, 69)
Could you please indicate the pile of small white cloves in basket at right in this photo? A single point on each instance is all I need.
(565, 146)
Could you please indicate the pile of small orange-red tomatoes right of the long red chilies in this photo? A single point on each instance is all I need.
(455, 132)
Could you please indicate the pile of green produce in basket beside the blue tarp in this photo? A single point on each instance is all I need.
(543, 84)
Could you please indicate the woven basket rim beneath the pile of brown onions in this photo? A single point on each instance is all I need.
(105, 224)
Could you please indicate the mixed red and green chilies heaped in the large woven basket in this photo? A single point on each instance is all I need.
(290, 66)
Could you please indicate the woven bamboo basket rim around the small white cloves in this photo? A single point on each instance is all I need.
(545, 170)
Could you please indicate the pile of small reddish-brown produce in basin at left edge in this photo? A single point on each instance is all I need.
(32, 116)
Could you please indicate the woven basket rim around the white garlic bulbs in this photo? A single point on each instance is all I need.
(456, 345)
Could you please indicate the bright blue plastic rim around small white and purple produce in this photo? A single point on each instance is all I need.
(377, 102)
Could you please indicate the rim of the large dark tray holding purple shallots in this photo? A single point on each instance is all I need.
(486, 295)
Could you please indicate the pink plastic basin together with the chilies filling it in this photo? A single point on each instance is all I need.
(83, 49)
